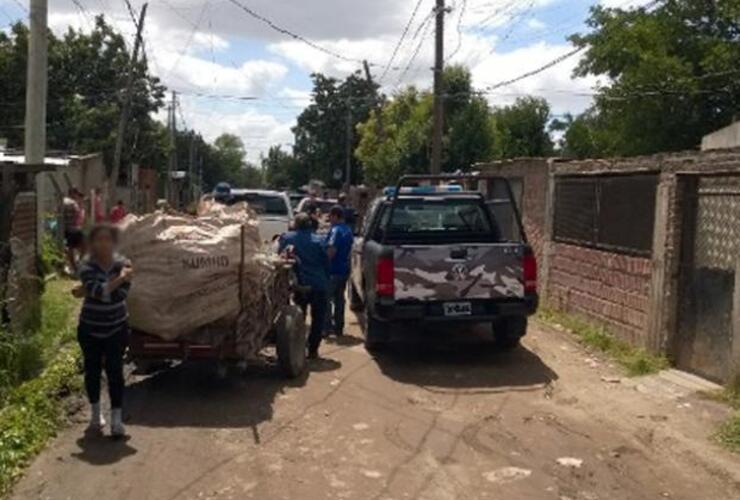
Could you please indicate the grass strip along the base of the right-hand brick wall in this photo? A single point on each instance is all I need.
(636, 361)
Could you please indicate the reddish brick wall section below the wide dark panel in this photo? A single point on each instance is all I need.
(611, 288)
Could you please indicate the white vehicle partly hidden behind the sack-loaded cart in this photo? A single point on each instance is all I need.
(272, 207)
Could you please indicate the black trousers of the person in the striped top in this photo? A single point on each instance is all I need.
(99, 353)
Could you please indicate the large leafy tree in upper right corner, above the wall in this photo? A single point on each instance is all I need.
(672, 73)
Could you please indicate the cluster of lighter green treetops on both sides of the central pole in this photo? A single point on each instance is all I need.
(396, 138)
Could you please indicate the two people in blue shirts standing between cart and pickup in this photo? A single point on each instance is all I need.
(322, 268)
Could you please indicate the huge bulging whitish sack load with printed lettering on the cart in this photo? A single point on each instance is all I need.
(205, 277)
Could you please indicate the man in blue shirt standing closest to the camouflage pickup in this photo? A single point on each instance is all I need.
(339, 247)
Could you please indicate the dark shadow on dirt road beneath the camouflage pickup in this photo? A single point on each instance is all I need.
(460, 357)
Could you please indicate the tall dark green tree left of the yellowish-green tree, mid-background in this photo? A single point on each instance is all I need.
(321, 129)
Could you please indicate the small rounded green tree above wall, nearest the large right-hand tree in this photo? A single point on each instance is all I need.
(523, 128)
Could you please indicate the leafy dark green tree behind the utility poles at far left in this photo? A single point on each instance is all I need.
(87, 76)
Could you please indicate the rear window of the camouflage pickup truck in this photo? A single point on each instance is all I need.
(444, 218)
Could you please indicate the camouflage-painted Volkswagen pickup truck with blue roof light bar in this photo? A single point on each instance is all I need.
(432, 252)
